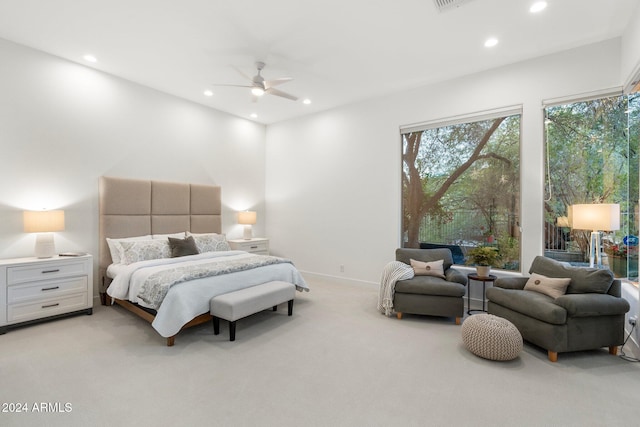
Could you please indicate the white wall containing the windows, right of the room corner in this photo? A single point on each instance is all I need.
(333, 178)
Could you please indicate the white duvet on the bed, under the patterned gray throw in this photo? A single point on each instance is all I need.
(187, 300)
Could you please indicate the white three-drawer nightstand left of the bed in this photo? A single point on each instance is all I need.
(33, 289)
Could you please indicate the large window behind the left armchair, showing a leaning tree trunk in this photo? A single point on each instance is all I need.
(461, 185)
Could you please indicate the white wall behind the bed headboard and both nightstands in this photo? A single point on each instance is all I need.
(63, 125)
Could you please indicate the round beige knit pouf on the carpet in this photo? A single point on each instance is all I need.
(491, 337)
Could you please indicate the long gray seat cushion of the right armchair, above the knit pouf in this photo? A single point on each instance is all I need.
(529, 303)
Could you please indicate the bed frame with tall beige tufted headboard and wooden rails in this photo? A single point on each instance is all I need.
(130, 207)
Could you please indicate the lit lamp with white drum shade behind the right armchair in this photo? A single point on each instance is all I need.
(596, 217)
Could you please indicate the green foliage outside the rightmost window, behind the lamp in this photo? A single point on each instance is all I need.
(592, 157)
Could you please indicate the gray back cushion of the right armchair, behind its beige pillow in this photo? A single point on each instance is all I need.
(583, 279)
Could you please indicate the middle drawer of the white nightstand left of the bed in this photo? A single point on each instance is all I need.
(46, 289)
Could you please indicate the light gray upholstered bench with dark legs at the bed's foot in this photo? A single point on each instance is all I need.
(245, 302)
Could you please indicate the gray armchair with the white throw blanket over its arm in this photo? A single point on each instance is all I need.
(430, 295)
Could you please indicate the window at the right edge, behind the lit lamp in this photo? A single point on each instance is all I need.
(592, 157)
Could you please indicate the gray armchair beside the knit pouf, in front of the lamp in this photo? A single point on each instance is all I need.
(589, 316)
